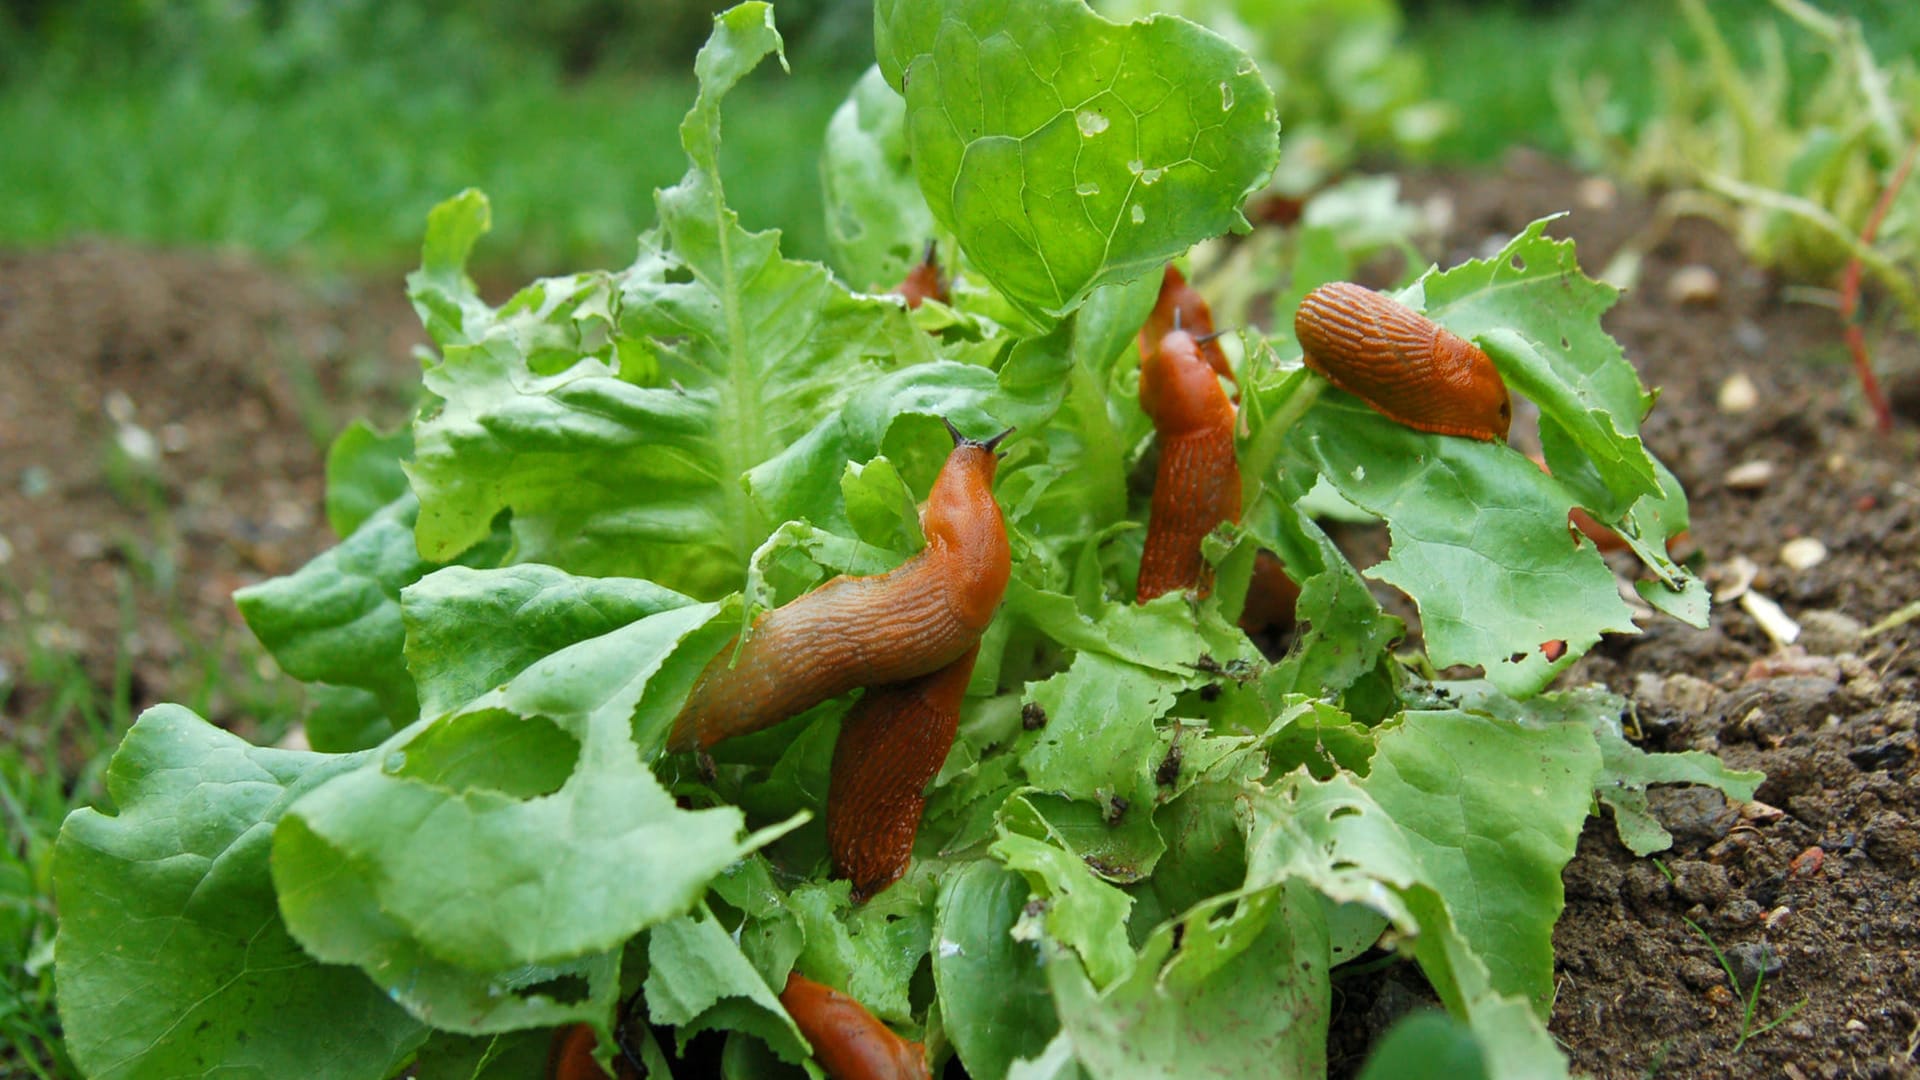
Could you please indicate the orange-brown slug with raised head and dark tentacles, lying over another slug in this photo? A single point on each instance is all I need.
(867, 631)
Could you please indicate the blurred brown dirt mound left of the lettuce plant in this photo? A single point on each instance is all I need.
(162, 430)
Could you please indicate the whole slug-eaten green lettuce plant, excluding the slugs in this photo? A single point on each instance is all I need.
(1151, 845)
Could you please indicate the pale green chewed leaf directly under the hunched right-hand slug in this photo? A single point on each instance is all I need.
(1479, 543)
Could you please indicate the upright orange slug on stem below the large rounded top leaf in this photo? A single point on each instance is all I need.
(1199, 479)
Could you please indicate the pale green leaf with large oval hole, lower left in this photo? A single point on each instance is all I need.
(471, 831)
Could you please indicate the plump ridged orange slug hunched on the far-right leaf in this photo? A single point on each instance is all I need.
(1403, 364)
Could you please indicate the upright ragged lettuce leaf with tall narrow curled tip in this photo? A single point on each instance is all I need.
(617, 414)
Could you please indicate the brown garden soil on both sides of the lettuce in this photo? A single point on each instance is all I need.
(160, 445)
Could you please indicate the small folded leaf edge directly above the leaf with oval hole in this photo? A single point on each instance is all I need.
(471, 631)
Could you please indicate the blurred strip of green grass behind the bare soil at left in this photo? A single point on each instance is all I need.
(343, 176)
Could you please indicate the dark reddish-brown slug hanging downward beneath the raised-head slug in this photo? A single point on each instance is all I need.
(892, 745)
